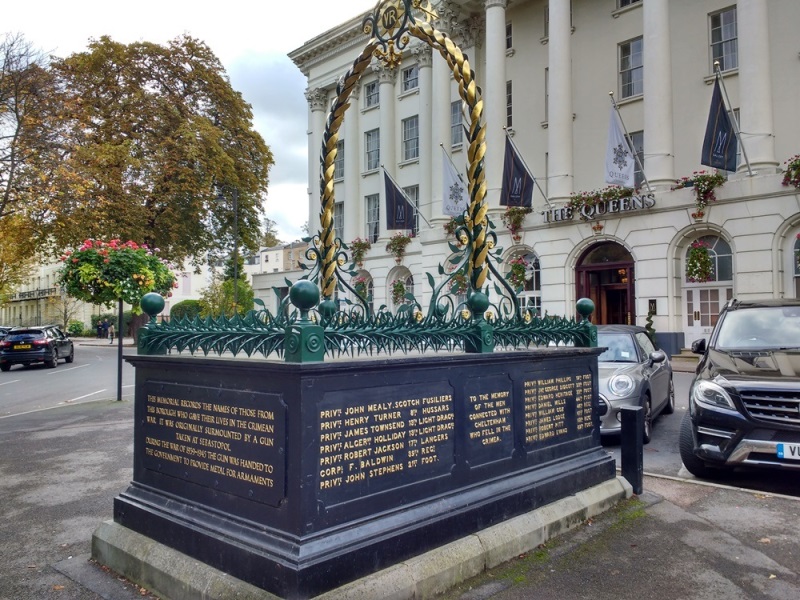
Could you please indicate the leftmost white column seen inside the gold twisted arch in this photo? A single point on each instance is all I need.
(353, 202)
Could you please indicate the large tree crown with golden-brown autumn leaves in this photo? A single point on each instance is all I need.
(150, 133)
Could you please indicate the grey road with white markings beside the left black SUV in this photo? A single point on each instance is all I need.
(92, 376)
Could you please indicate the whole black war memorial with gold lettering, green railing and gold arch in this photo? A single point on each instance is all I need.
(364, 437)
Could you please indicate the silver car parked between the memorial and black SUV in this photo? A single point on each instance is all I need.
(632, 372)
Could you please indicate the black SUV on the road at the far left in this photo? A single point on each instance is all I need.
(28, 345)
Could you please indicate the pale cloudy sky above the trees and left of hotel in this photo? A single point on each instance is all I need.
(251, 39)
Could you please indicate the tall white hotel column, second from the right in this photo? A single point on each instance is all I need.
(659, 166)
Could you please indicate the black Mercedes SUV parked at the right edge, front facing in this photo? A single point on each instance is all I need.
(744, 402)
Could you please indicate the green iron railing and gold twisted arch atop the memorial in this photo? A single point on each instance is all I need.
(309, 324)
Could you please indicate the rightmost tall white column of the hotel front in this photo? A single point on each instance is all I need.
(755, 86)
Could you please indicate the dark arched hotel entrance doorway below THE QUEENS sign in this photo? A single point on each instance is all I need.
(605, 274)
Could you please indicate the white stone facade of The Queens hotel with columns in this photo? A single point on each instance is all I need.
(546, 68)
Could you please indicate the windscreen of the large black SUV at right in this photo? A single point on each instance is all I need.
(763, 327)
